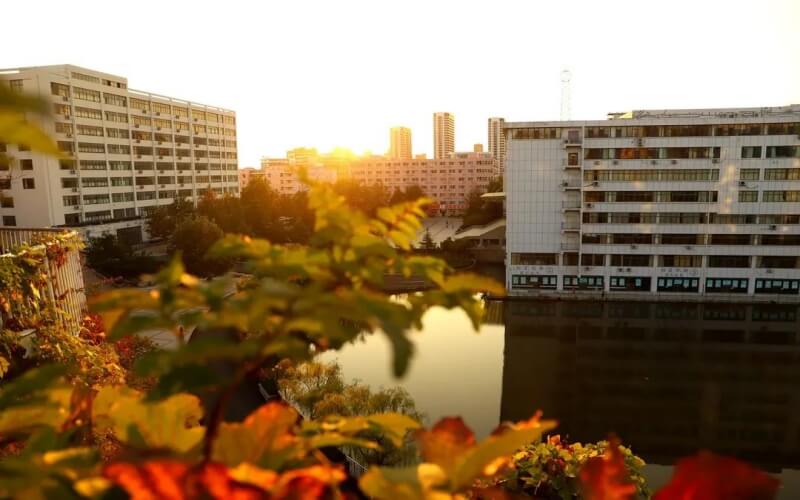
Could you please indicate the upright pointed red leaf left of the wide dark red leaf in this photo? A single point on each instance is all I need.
(606, 478)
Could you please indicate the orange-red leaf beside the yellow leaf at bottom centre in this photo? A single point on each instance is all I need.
(445, 442)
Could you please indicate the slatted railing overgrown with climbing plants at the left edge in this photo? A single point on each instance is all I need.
(65, 289)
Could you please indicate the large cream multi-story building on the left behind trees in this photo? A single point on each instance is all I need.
(125, 151)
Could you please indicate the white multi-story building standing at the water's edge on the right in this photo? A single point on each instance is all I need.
(675, 204)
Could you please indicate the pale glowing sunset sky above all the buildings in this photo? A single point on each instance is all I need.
(340, 73)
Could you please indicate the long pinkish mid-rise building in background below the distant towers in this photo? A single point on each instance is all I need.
(448, 181)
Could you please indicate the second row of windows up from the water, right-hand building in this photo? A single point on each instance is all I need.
(680, 261)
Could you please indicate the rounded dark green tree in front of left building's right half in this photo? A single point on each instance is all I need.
(193, 238)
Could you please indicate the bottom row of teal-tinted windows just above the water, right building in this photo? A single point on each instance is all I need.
(663, 284)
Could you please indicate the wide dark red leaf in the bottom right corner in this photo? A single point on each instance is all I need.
(713, 477)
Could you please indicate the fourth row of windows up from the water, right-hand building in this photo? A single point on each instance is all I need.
(687, 218)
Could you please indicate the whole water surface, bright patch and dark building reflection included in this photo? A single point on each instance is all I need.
(669, 379)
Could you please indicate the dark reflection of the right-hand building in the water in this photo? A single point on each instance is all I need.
(668, 378)
